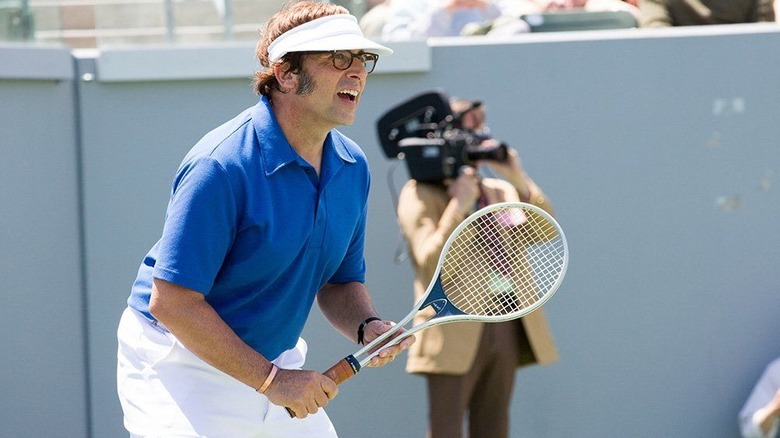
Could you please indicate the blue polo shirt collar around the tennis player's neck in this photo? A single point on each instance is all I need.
(276, 151)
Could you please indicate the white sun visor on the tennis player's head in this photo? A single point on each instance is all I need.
(331, 32)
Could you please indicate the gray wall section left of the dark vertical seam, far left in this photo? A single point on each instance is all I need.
(43, 340)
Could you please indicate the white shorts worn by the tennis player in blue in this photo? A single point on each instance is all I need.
(167, 391)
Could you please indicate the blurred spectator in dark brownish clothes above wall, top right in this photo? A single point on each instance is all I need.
(663, 13)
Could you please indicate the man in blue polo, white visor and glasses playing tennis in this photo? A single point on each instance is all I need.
(267, 213)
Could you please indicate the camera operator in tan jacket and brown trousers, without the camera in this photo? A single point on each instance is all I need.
(469, 367)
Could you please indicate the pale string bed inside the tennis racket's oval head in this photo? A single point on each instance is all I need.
(502, 262)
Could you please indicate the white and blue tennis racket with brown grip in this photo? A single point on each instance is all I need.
(501, 263)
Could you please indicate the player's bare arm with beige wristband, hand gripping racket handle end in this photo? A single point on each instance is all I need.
(197, 325)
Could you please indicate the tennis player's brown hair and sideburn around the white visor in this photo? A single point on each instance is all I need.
(292, 14)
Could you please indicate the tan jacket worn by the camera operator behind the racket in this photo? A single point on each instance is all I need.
(451, 348)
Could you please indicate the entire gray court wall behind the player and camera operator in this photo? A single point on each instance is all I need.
(658, 148)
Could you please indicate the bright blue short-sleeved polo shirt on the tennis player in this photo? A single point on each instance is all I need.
(251, 226)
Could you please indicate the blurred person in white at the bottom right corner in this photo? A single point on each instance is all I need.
(759, 417)
